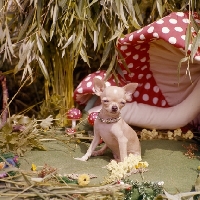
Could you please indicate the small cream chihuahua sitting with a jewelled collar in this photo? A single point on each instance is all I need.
(115, 132)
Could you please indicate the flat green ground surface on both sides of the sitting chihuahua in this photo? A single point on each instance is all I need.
(166, 159)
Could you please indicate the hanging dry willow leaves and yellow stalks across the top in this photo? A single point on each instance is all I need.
(53, 35)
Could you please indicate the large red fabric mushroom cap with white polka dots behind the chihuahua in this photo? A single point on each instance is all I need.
(136, 49)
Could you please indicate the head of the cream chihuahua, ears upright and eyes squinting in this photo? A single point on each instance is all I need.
(113, 98)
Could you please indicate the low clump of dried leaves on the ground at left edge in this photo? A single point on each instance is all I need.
(20, 134)
